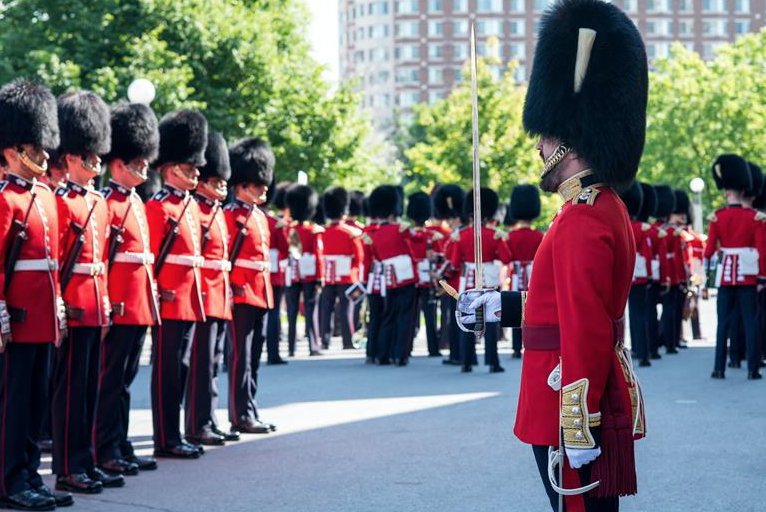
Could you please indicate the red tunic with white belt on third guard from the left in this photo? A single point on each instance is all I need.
(132, 290)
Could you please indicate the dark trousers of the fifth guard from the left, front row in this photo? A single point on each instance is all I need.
(201, 397)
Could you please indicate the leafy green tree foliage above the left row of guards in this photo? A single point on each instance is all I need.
(244, 63)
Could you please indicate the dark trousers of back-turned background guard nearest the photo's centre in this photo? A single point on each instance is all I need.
(395, 326)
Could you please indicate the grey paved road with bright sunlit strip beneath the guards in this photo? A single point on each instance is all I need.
(359, 438)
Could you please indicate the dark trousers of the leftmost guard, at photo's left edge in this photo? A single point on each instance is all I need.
(24, 370)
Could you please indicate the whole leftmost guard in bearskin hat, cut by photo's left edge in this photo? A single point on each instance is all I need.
(32, 315)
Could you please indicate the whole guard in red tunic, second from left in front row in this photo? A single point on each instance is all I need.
(83, 222)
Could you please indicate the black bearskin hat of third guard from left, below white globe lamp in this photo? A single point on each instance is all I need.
(134, 133)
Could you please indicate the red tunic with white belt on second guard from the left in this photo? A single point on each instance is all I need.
(86, 296)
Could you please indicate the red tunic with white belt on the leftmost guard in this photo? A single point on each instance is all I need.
(33, 293)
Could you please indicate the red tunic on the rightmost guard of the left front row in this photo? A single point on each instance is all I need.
(250, 280)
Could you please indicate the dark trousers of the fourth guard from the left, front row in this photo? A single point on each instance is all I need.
(170, 343)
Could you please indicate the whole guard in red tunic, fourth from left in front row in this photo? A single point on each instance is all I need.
(175, 237)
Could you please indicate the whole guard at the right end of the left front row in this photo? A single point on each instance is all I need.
(252, 170)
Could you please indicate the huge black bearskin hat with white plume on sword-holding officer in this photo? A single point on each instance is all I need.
(601, 114)
